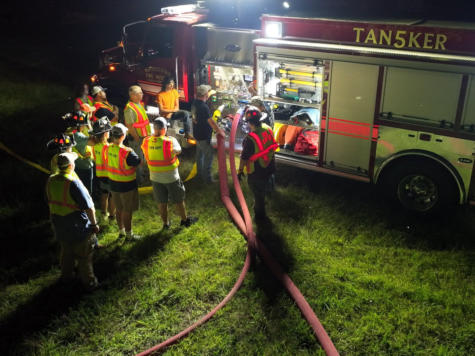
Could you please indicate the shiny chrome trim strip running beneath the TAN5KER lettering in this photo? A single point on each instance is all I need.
(365, 50)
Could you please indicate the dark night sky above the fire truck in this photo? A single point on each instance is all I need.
(80, 29)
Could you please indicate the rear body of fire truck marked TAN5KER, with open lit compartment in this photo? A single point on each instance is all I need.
(400, 112)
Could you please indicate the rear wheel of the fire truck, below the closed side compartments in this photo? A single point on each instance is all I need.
(422, 186)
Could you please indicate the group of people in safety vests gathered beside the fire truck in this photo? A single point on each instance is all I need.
(97, 158)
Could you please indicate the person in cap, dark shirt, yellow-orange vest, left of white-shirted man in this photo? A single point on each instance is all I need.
(121, 163)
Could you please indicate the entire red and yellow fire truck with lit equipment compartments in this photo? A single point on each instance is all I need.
(385, 103)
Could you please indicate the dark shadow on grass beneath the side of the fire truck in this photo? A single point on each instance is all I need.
(345, 204)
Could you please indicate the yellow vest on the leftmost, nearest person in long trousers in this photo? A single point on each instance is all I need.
(59, 198)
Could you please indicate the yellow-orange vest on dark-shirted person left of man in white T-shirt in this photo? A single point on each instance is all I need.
(115, 163)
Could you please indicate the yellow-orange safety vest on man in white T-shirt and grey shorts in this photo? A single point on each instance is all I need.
(158, 152)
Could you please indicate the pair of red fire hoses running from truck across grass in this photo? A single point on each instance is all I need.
(245, 225)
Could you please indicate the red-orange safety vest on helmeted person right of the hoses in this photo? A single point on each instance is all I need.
(264, 147)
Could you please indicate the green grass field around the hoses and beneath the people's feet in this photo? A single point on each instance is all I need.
(381, 282)
